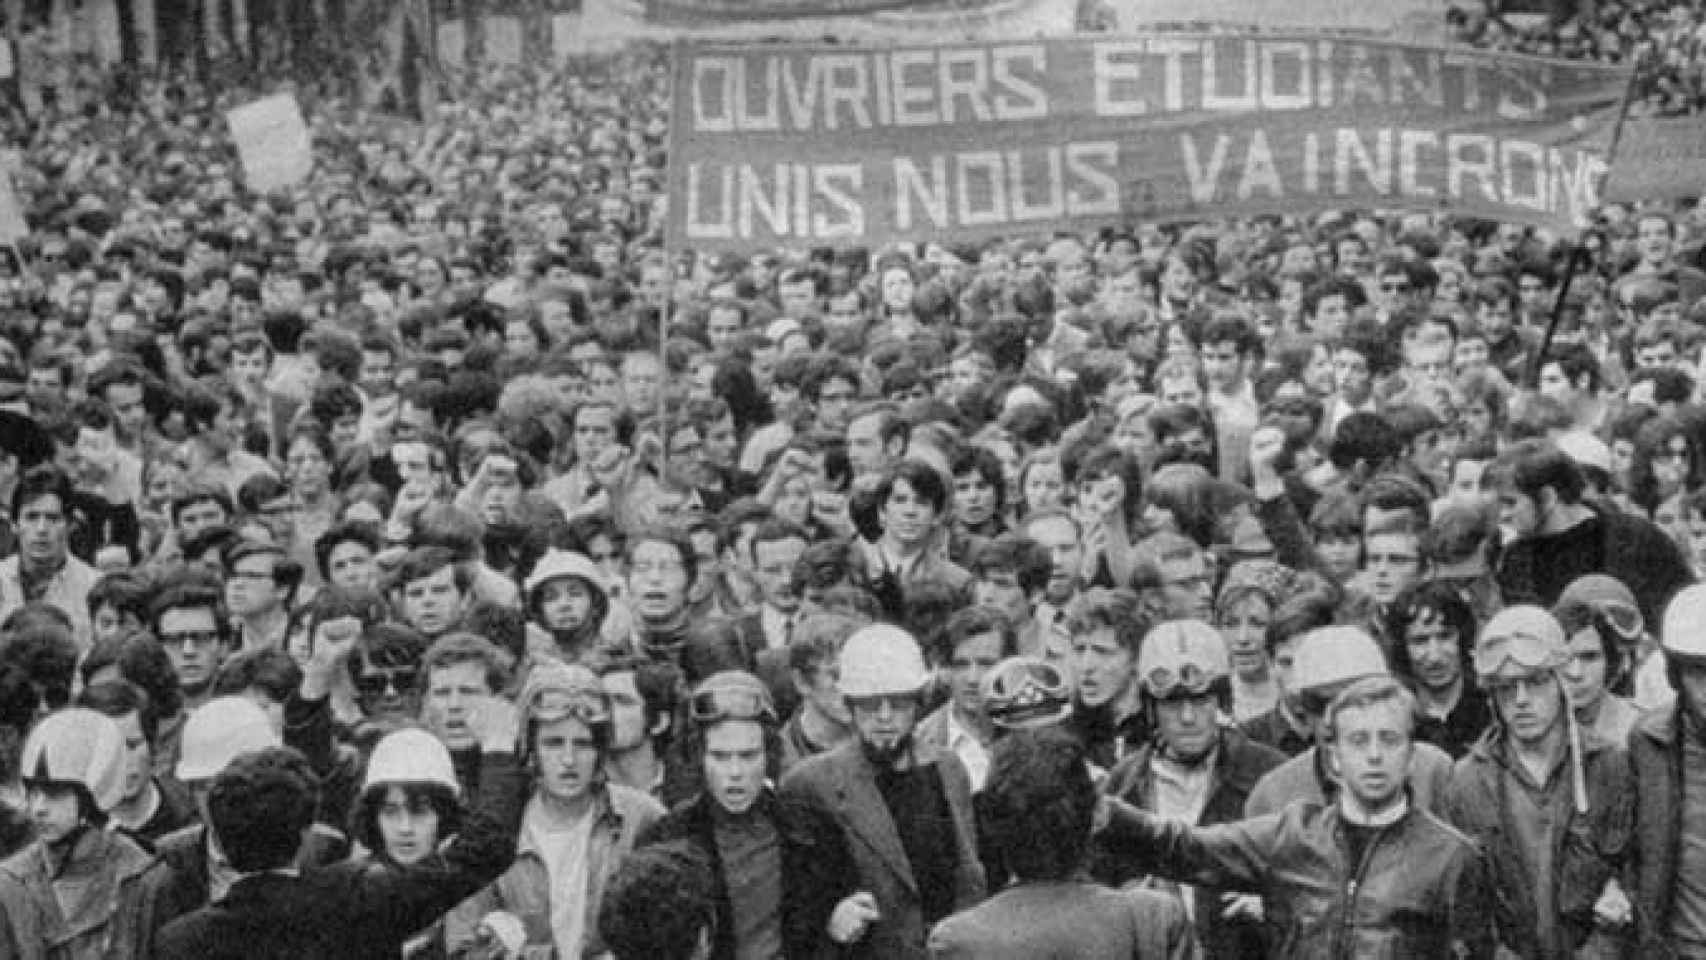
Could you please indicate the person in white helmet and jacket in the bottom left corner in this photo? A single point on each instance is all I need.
(78, 891)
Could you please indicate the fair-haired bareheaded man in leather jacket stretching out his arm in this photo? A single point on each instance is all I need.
(1367, 874)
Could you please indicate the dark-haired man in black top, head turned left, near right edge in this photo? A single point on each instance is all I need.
(1560, 538)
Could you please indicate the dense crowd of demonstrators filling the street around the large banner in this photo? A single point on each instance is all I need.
(426, 562)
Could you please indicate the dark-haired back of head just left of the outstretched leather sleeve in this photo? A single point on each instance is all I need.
(1040, 802)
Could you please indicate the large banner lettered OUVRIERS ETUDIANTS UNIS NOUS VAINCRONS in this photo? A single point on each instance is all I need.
(786, 146)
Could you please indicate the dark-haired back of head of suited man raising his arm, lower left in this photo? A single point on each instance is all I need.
(260, 806)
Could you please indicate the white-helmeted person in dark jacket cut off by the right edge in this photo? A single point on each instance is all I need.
(1668, 753)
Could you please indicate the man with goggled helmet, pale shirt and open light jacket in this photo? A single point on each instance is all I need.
(576, 831)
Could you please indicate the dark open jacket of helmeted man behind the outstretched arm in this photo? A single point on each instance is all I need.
(1239, 766)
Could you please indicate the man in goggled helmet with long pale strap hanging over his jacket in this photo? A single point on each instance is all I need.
(1546, 801)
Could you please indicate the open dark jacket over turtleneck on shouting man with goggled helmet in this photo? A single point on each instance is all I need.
(816, 870)
